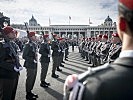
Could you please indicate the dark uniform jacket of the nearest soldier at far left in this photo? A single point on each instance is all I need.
(7, 61)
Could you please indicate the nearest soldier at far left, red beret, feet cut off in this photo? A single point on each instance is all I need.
(9, 65)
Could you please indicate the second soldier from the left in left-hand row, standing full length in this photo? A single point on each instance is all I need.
(30, 57)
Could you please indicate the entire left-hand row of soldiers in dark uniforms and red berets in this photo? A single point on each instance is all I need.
(10, 66)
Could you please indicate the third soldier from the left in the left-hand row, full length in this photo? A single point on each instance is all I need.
(45, 59)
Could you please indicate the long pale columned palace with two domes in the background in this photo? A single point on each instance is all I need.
(72, 31)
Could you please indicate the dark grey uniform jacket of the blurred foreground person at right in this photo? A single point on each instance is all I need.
(113, 83)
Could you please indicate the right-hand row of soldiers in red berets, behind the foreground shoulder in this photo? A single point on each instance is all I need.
(100, 50)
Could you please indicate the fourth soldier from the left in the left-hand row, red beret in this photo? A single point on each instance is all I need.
(55, 55)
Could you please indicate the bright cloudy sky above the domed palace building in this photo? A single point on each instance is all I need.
(58, 11)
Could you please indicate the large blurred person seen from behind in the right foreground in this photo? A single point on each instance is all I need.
(112, 81)
